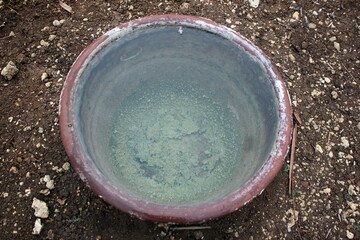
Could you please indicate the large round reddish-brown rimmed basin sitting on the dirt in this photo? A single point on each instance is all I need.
(175, 118)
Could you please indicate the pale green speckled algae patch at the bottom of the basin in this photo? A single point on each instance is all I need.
(174, 144)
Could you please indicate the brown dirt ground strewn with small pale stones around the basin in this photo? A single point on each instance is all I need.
(315, 45)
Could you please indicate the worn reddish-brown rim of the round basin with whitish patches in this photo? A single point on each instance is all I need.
(85, 167)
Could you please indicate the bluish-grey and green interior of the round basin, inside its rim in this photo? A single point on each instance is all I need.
(176, 115)
